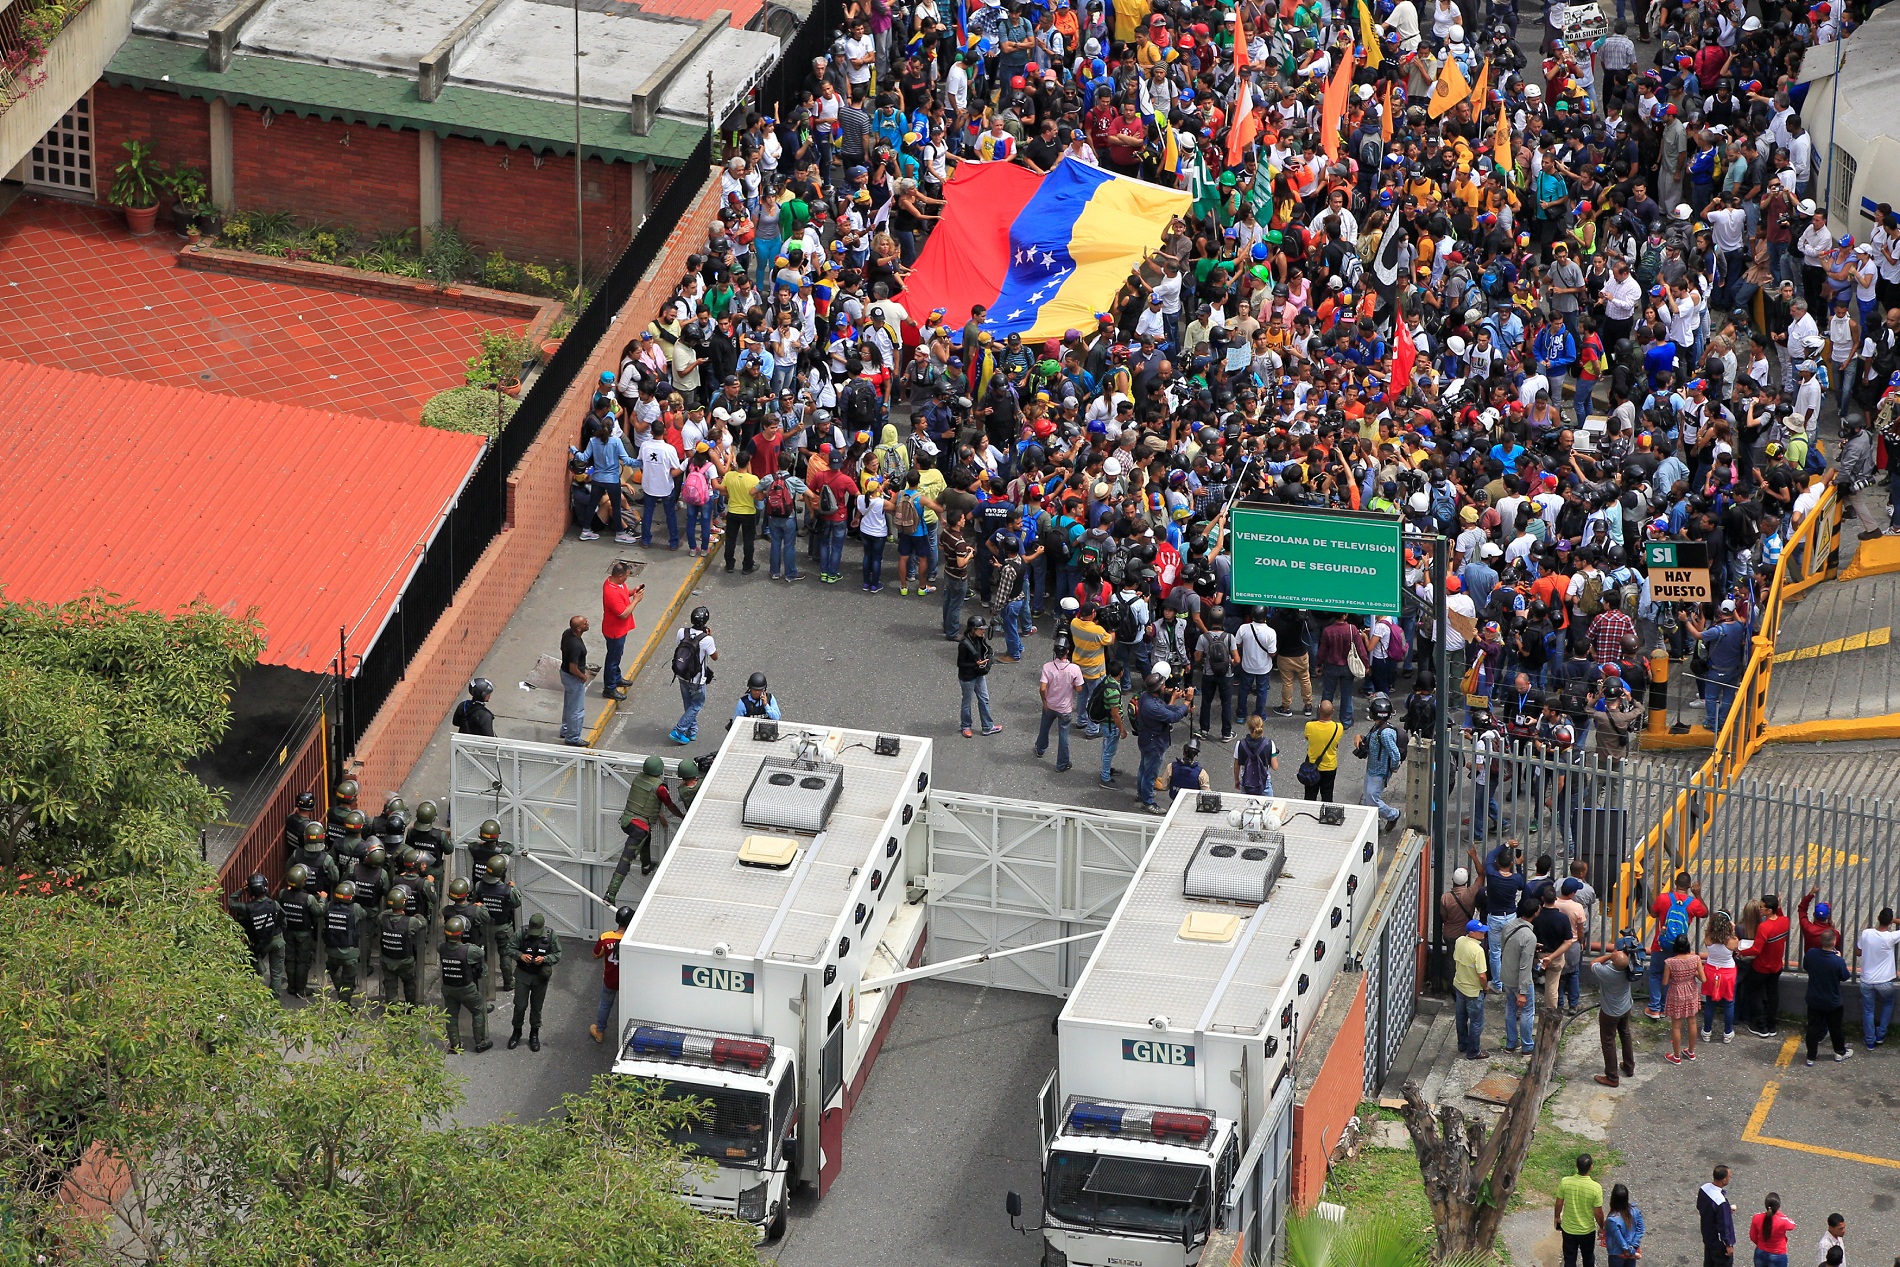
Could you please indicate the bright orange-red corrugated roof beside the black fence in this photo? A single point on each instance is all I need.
(314, 520)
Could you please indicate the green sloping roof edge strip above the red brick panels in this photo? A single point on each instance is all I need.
(383, 100)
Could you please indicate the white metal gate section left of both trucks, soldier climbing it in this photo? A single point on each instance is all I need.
(558, 804)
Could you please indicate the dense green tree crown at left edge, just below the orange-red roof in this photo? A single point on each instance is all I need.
(102, 706)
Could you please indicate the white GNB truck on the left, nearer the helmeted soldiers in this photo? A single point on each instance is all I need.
(750, 974)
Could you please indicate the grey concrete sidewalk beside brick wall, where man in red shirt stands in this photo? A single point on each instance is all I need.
(569, 586)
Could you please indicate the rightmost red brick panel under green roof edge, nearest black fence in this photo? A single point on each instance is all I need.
(501, 200)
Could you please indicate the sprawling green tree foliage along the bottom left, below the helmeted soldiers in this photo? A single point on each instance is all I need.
(132, 1029)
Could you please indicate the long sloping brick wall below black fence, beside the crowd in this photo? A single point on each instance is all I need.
(503, 577)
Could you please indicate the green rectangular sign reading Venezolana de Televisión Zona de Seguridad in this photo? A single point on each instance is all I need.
(1320, 561)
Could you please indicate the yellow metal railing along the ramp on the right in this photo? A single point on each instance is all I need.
(1812, 556)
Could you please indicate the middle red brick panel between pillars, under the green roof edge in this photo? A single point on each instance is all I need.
(318, 170)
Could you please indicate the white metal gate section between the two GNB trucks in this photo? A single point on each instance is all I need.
(1008, 873)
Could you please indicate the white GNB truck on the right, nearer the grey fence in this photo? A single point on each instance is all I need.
(1169, 1110)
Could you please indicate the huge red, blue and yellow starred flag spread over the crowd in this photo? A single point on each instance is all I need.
(1042, 254)
